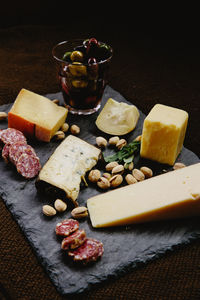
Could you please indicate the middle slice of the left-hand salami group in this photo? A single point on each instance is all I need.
(17, 149)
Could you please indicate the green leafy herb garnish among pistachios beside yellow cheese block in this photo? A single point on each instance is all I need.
(126, 154)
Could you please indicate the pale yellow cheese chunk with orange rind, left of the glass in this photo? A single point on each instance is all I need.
(36, 116)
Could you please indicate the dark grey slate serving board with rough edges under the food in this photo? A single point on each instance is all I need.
(125, 247)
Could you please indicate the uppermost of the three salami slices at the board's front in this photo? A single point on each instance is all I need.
(67, 227)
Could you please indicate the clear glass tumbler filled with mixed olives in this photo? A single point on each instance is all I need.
(82, 70)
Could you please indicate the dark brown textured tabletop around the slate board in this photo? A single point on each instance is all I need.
(147, 69)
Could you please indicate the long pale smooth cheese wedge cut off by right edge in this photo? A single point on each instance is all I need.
(171, 195)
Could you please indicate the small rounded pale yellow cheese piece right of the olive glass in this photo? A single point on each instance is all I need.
(117, 118)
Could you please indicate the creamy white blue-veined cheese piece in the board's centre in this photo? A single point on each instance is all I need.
(68, 164)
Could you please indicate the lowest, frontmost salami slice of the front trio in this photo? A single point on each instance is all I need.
(89, 251)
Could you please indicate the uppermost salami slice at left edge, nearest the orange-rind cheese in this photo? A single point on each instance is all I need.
(11, 135)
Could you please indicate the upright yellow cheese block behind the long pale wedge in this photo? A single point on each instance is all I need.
(163, 133)
